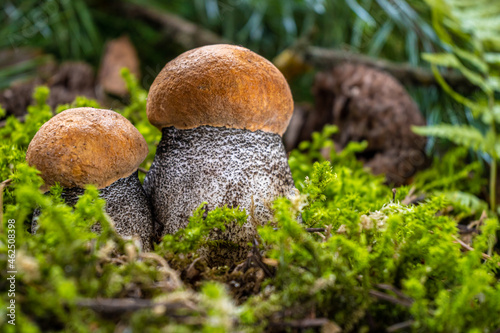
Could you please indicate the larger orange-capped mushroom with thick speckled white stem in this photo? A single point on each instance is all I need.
(222, 110)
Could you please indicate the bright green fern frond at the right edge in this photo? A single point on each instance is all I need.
(473, 50)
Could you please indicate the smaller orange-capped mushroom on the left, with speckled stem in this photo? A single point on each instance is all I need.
(101, 147)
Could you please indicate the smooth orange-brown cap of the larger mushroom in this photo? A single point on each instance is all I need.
(220, 86)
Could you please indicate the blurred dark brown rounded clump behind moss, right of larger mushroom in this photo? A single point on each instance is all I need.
(368, 104)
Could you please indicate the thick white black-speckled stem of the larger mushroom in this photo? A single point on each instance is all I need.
(220, 166)
